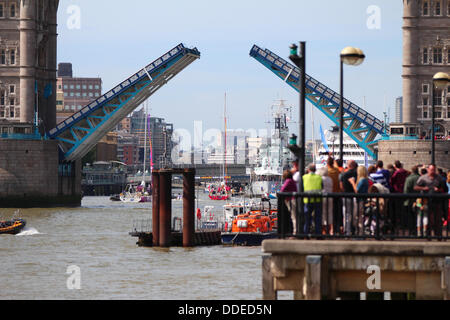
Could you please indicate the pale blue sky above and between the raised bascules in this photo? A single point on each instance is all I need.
(113, 39)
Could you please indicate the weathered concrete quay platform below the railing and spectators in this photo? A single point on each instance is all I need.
(318, 270)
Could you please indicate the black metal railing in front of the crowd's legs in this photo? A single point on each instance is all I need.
(364, 216)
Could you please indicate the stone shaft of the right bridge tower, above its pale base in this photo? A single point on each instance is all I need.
(426, 51)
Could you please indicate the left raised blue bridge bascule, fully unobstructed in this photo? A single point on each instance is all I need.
(79, 133)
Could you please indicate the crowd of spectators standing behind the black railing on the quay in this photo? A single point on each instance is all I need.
(348, 214)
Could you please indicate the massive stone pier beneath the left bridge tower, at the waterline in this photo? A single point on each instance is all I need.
(31, 175)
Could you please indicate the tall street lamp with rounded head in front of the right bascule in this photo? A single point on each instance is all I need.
(353, 57)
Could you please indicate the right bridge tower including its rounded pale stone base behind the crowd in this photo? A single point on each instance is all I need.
(426, 51)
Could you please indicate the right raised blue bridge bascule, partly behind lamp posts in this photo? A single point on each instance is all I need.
(364, 128)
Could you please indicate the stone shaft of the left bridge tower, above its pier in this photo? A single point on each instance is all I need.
(28, 62)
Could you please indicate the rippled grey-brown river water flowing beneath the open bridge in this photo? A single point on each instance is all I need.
(93, 240)
